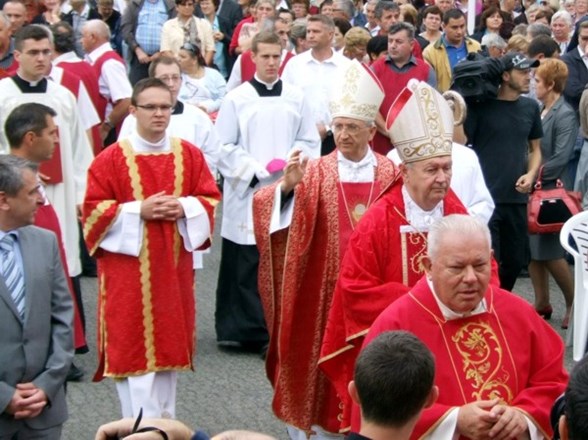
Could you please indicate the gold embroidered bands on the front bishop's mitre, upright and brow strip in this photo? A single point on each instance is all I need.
(434, 141)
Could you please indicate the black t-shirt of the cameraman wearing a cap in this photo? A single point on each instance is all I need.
(499, 132)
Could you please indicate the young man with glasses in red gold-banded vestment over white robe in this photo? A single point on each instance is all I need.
(149, 204)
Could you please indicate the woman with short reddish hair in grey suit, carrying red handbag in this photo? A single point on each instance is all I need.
(559, 135)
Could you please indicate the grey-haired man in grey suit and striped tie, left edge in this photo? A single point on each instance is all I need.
(36, 312)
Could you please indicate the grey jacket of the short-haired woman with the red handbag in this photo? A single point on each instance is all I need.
(560, 129)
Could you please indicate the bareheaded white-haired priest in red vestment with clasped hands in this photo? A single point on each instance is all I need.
(499, 365)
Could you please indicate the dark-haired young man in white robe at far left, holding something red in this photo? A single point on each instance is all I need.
(66, 172)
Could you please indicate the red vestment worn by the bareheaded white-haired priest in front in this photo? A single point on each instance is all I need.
(507, 352)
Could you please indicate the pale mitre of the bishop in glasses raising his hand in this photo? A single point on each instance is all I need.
(356, 93)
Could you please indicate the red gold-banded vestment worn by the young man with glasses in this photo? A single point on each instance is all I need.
(146, 304)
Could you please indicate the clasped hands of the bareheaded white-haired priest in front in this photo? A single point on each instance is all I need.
(491, 420)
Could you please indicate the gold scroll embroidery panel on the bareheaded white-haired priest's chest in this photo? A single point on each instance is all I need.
(482, 361)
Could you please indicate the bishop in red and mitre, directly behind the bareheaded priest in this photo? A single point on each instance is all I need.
(384, 254)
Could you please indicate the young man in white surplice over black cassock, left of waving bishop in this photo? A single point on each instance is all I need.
(260, 123)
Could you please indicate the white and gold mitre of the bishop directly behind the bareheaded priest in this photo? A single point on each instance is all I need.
(420, 123)
